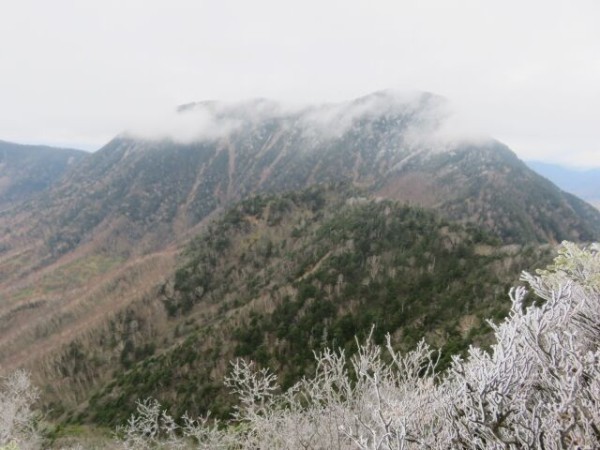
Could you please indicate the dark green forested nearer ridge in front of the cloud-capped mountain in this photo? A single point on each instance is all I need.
(279, 277)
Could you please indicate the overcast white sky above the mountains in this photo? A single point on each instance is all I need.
(76, 73)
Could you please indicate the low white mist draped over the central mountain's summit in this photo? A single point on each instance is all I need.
(426, 121)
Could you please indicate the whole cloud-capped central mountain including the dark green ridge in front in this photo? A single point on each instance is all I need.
(365, 214)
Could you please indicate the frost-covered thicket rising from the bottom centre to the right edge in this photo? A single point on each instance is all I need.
(538, 387)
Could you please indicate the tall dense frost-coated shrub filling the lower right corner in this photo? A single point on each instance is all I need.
(540, 385)
